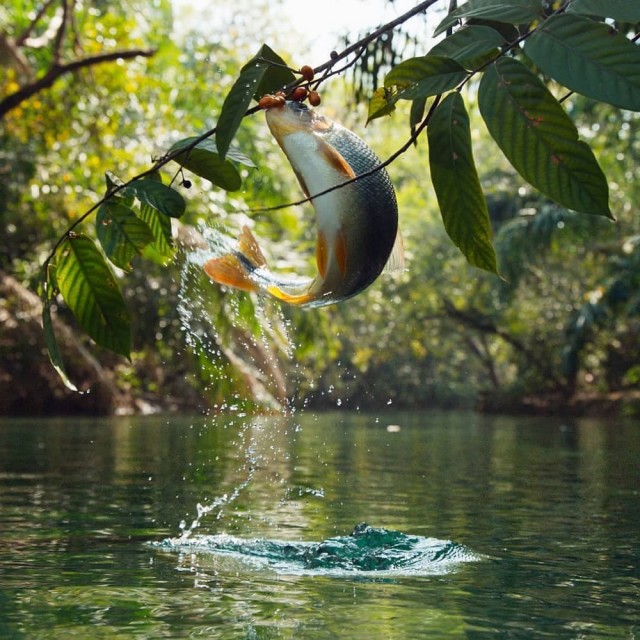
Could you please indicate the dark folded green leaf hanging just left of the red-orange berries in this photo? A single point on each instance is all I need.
(264, 73)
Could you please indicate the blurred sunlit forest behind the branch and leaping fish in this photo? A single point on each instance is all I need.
(558, 332)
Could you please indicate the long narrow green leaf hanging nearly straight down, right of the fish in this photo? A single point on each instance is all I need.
(456, 183)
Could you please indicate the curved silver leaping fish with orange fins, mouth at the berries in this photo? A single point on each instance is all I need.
(357, 225)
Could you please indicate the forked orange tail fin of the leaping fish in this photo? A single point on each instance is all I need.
(234, 269)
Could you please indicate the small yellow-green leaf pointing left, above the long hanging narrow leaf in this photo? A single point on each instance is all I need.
(424, 77)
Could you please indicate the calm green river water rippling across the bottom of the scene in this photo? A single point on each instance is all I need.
(479, 527)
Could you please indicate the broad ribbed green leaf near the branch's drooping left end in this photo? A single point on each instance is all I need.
(91, 291)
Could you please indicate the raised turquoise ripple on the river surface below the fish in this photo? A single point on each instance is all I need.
(366, 551)
